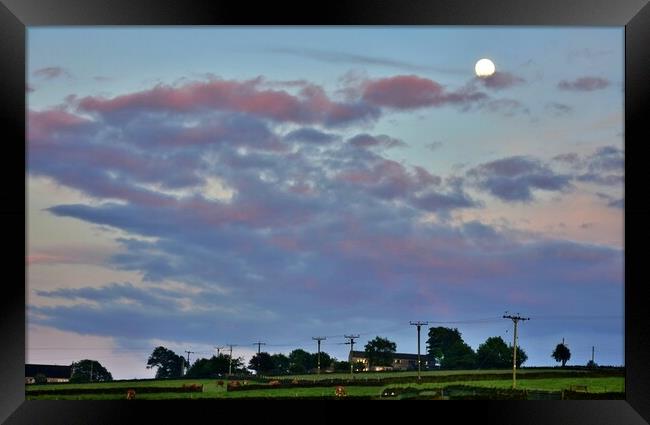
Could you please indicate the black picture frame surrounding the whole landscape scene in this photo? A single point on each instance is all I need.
(634, 15)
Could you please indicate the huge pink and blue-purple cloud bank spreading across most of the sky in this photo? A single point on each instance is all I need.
(316, 224)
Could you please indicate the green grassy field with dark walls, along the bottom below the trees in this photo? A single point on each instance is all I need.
(531, 384)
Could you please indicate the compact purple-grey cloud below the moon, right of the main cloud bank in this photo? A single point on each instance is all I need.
(513, 179)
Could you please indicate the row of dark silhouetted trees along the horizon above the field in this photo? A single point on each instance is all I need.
(446, 349)
